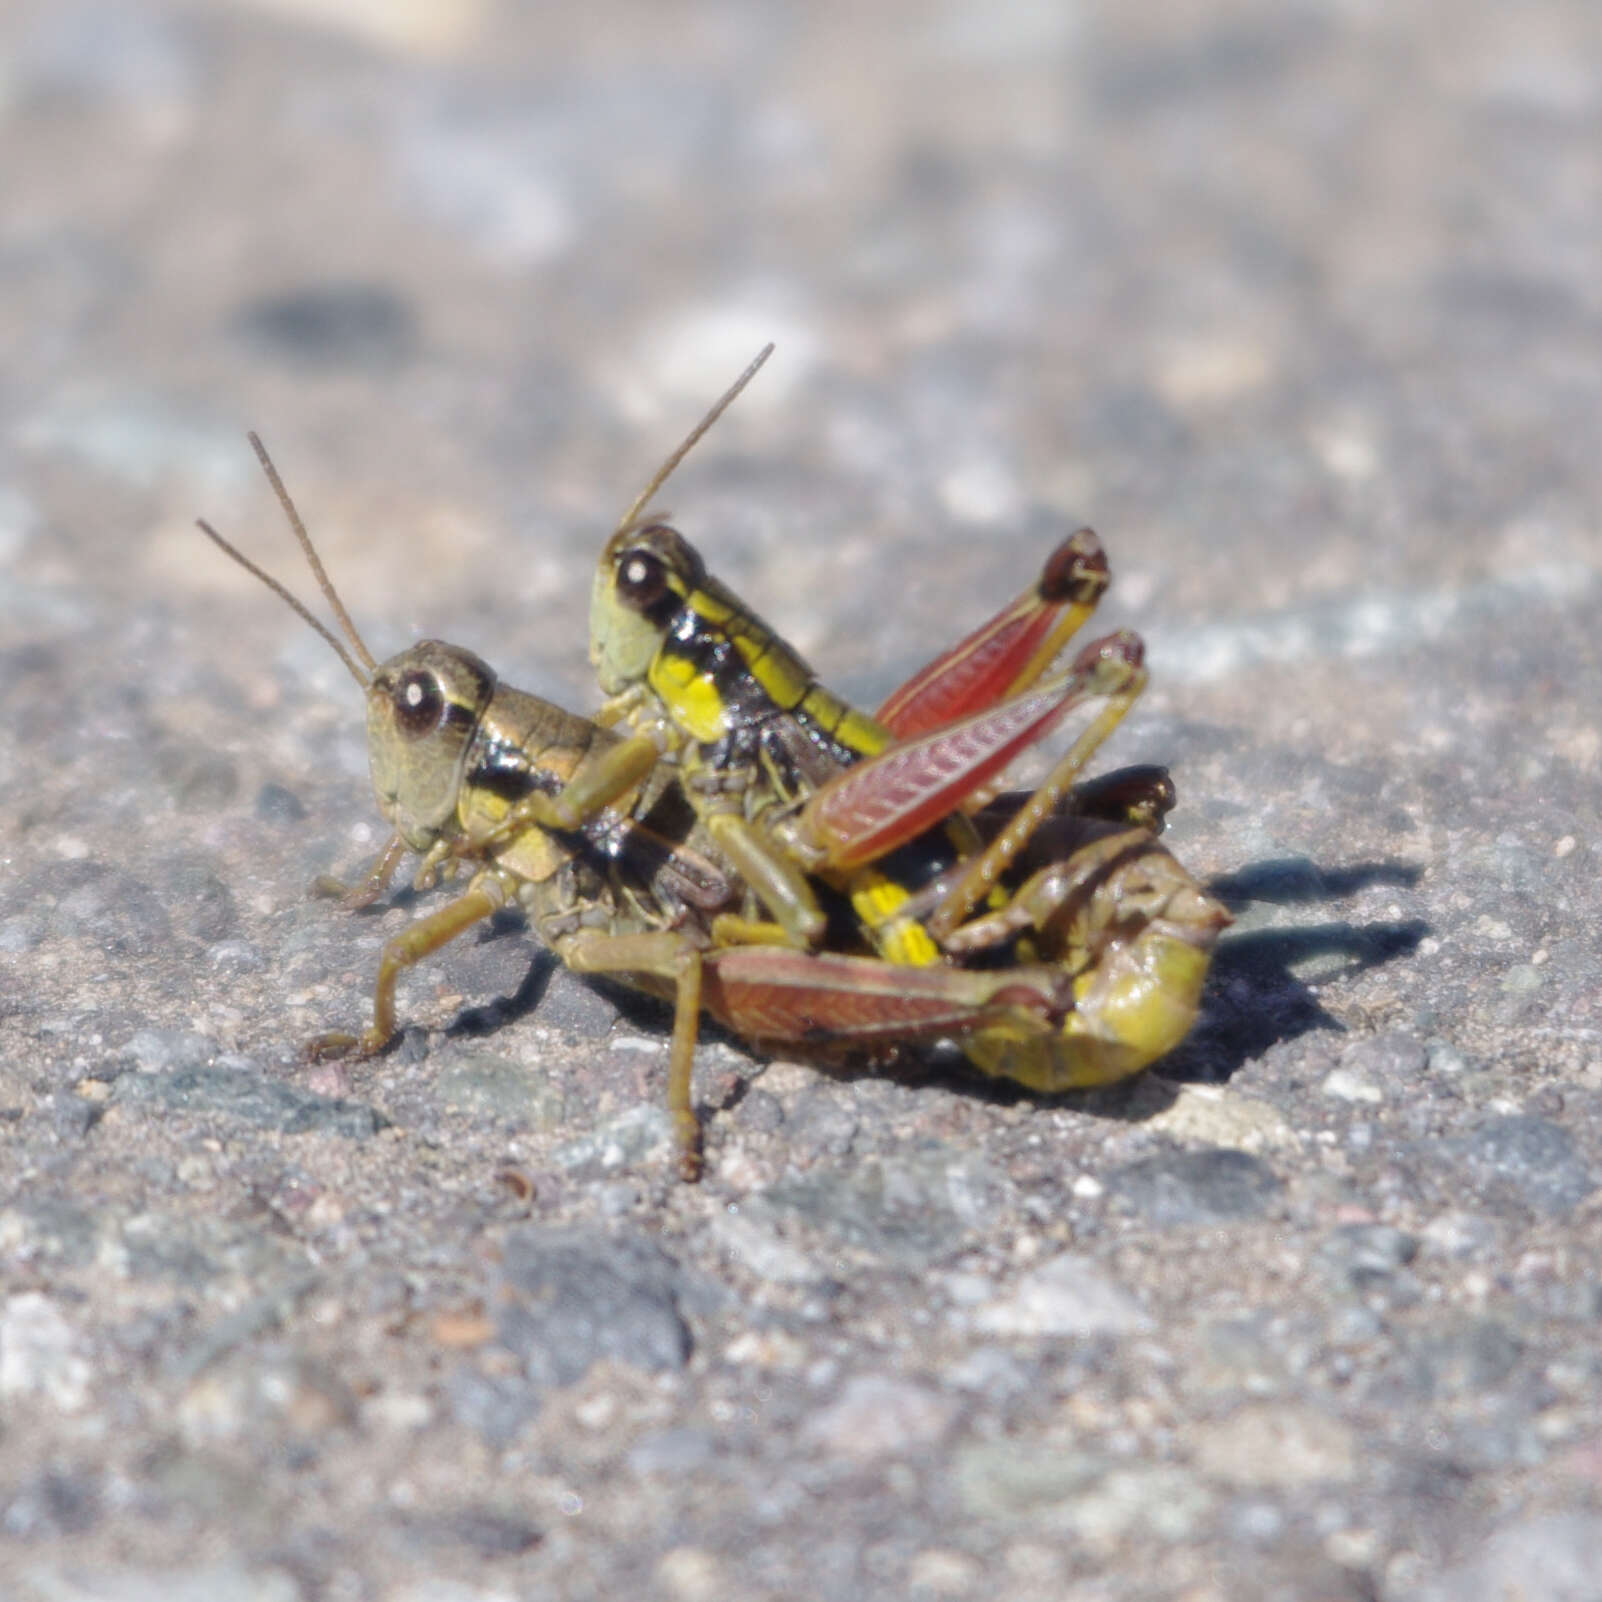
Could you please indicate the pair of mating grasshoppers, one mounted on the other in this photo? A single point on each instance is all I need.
(675, 864)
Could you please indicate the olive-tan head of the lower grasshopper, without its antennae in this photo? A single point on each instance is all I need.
(424, 709)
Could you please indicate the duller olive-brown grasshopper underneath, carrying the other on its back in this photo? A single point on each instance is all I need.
(635, 890)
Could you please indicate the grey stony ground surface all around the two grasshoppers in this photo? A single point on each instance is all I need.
(1297, 304)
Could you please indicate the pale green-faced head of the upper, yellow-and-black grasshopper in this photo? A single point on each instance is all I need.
(645, 579)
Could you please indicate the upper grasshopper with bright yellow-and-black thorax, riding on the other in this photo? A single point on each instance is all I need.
(802, 792)
